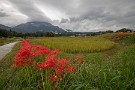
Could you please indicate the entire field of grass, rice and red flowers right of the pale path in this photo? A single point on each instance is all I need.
(105, 62)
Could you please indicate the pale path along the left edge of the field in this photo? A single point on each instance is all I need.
(6, 49)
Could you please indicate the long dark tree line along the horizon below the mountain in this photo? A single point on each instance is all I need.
(11, 33)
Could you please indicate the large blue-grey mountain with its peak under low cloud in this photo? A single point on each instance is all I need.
(32, 27)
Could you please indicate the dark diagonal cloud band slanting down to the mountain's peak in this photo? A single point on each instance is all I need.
(28, 8)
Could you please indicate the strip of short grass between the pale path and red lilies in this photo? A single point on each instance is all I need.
(7, 69)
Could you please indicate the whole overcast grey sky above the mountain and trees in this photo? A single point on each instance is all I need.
(78, 15)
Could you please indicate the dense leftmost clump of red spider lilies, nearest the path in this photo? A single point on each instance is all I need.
(29, 51)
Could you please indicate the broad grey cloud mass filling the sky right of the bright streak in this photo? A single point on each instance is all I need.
(103, 13)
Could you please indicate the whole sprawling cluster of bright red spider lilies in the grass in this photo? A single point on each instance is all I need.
(60, 66)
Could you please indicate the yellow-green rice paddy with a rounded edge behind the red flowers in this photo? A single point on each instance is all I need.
(76, 45)
